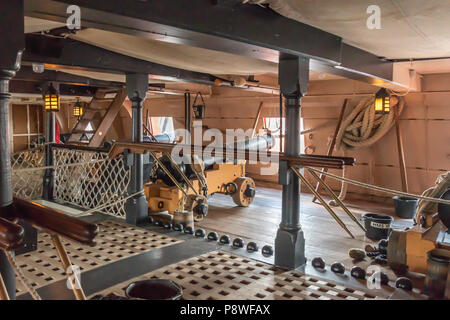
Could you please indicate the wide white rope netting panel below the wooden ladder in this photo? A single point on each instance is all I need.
(97, 181)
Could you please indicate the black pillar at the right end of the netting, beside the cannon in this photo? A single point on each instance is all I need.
(137, 207)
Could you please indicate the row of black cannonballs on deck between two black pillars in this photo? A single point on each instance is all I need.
(237, 243)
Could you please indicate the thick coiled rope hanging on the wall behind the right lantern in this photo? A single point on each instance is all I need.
(362, 128)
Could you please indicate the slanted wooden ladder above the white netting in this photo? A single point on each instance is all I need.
(99, 127)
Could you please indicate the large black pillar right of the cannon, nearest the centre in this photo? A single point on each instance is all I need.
(293, 75)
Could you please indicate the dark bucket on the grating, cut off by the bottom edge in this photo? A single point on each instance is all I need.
(154, 289)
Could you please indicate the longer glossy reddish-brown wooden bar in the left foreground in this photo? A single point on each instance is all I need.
(54, 221)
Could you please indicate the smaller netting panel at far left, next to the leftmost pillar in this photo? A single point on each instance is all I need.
(27, 183)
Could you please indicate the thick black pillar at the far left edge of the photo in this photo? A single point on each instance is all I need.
(11, 48)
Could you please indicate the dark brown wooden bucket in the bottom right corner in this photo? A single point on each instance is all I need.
(438, 265)
